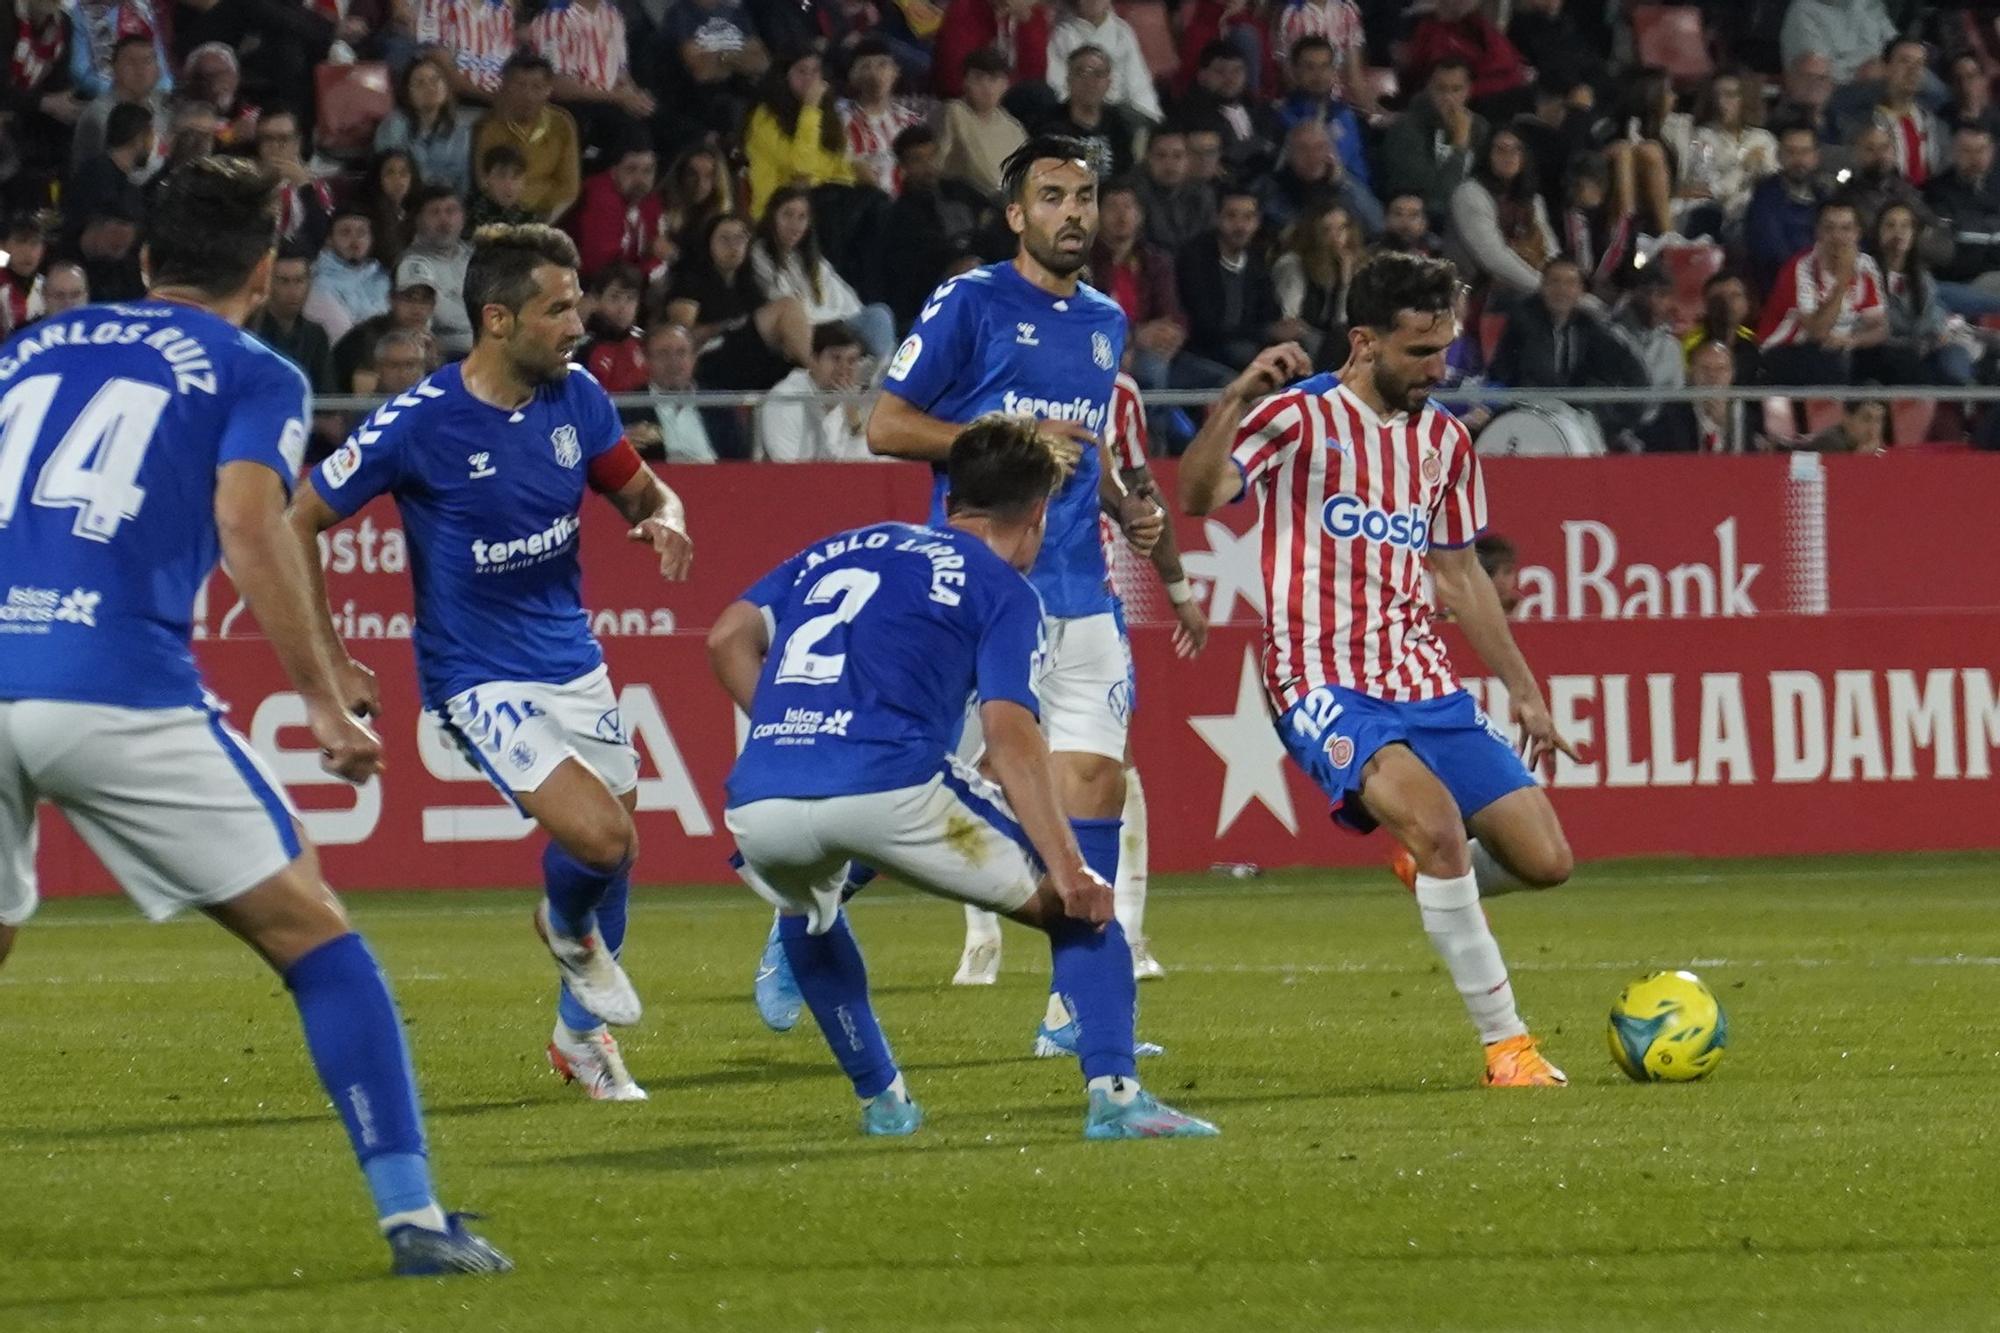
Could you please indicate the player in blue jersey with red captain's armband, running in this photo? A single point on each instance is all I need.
(489, 461)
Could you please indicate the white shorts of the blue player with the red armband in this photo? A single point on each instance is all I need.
(521, 732)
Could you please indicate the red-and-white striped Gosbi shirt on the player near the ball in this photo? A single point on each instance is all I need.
(1349, 503)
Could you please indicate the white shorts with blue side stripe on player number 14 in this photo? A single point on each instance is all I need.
(173, 802)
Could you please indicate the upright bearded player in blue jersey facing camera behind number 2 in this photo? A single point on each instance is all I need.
(1029, 337)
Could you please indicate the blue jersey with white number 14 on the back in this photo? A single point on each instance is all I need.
(113, 427)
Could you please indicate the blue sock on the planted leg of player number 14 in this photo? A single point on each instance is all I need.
(357, 1046)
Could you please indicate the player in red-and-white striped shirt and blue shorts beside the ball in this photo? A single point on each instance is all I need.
(1363, 485)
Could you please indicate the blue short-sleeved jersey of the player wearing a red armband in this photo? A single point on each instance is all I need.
(491, 507)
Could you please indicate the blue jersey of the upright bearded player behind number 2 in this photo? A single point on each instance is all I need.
(991, 341)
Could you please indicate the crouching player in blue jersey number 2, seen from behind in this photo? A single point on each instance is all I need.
(855, 663)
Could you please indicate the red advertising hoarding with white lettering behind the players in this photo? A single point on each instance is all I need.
(1659, 591)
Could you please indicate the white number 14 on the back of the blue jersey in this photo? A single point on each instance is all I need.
(95, 469)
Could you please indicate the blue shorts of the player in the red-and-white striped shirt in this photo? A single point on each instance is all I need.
(1335, 732)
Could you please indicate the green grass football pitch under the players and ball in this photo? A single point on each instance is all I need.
(169, 1162)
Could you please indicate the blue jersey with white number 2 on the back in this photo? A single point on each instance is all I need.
(879, 639)
